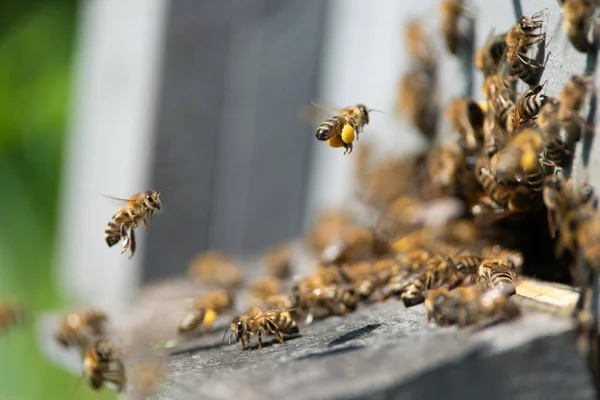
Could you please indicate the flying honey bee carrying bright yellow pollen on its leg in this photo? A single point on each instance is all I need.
(341, 130)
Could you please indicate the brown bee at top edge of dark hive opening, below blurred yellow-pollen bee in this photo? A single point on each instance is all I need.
(499, 198)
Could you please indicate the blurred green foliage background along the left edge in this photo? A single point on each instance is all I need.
(36, 67)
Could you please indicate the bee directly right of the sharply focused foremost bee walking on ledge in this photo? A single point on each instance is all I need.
(334, 299)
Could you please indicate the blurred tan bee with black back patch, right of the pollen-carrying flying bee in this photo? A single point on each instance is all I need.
(467, 117)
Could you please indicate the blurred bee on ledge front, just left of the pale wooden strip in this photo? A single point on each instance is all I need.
(470, 305)
